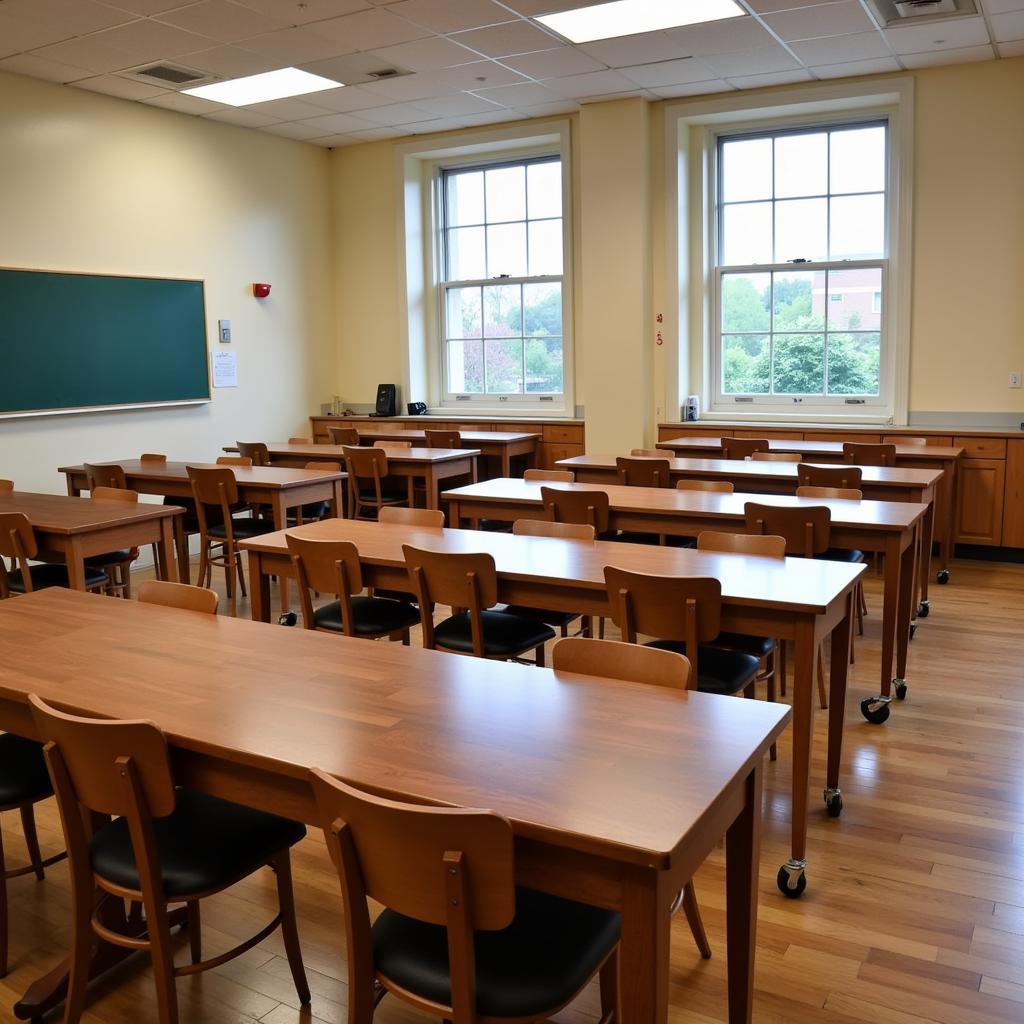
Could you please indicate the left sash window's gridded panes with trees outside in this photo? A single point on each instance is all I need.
(502, 287)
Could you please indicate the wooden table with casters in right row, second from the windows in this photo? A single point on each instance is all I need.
(882, 484)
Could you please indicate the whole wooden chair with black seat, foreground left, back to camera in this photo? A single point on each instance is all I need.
(165, 846)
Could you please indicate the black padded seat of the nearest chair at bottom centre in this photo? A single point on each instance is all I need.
(537, 964)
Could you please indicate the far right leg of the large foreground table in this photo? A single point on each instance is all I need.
(743, 851)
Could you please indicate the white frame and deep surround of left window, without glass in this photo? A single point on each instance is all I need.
(421, 241)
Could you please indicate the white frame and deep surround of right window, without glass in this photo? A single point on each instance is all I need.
(693, 133)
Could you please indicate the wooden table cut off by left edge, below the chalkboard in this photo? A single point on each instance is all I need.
(71, 530)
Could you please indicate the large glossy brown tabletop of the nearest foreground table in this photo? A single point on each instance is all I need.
(619, 770)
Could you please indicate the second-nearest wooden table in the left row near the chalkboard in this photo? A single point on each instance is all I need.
(281, 489)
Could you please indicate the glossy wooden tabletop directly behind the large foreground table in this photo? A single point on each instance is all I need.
(798, 584)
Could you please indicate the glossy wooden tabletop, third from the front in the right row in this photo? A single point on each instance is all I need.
(865, 515)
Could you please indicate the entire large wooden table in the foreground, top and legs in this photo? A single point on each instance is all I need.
(617, 792)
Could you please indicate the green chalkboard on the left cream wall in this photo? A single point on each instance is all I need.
(78, 342)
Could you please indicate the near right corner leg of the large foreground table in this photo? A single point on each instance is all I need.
(644, 951)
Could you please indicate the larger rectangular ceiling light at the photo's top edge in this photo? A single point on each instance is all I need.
(630, 18)
